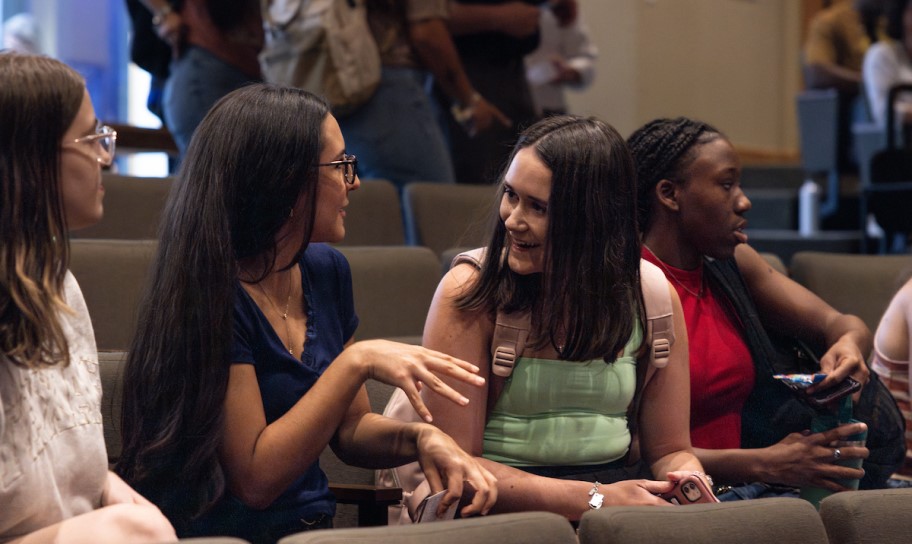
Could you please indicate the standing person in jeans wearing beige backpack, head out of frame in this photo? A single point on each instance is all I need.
(398, 123)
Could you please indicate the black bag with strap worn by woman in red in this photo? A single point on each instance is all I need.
(772, 411)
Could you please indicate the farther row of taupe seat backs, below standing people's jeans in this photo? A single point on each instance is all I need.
(433, 215)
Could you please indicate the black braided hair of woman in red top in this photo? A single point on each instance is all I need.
(663, 149)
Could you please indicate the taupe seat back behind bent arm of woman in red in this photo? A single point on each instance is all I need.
(861, 285)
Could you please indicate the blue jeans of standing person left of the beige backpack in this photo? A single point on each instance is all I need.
(198, 80)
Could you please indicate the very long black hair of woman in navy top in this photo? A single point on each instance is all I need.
(250, 160)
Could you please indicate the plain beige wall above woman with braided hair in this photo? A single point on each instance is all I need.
(732, 63)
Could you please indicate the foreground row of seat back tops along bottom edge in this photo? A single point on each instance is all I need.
(845, 518)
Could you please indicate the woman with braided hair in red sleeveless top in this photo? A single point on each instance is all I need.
(691, 214)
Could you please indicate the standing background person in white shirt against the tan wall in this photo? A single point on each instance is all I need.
(564, 58)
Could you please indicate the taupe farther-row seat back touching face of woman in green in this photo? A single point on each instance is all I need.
(442, 215)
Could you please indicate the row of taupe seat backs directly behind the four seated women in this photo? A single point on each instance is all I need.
(394, 285)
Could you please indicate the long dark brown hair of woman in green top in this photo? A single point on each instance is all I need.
(589, 292)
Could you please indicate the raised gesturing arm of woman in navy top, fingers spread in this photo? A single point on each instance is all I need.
(261, 460)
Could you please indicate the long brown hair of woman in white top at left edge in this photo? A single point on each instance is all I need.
(39, 99)
